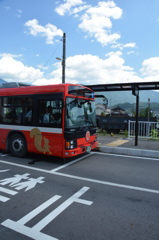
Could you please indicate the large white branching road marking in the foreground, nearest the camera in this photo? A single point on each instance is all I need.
(35, 231)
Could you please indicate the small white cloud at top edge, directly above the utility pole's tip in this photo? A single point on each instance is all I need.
(70, 6)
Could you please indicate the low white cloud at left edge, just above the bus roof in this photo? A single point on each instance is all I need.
(12, 70)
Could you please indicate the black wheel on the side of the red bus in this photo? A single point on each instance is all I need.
(17, 145)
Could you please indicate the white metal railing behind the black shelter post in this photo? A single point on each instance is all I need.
(145, 129)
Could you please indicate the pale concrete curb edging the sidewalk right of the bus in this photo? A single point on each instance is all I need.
(129, 151)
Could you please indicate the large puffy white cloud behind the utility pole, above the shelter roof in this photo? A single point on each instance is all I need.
(90, 69)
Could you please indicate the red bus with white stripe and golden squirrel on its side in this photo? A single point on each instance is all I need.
(57, 120)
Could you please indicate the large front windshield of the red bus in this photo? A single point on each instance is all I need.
(80, 113)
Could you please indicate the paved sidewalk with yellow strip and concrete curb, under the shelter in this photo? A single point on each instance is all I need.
(125, 146)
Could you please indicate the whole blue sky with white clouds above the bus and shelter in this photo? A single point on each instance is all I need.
(106, 41)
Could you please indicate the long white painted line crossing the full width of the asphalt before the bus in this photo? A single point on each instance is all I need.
(87, 179)
